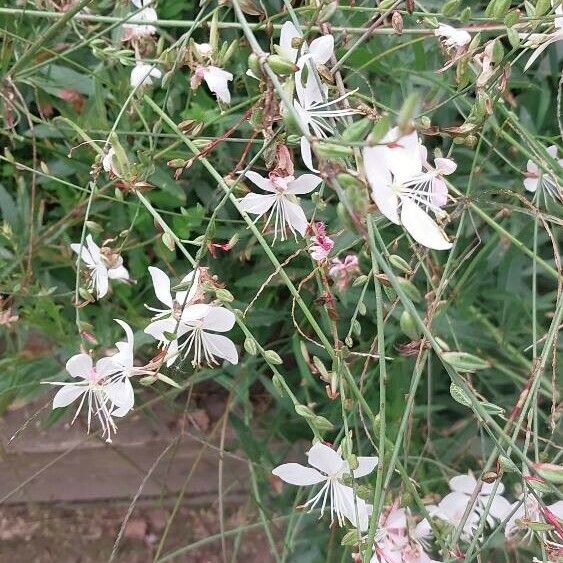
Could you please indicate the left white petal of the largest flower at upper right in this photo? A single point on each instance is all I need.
(379, 178)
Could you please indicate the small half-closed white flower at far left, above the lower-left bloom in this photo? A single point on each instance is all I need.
(103, 266)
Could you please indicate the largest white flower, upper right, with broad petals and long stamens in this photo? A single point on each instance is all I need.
(402, 191)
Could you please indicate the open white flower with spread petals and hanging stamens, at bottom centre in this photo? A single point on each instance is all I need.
(328, 468)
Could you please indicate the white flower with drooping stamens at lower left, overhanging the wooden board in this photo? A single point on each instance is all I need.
(105, 387)
